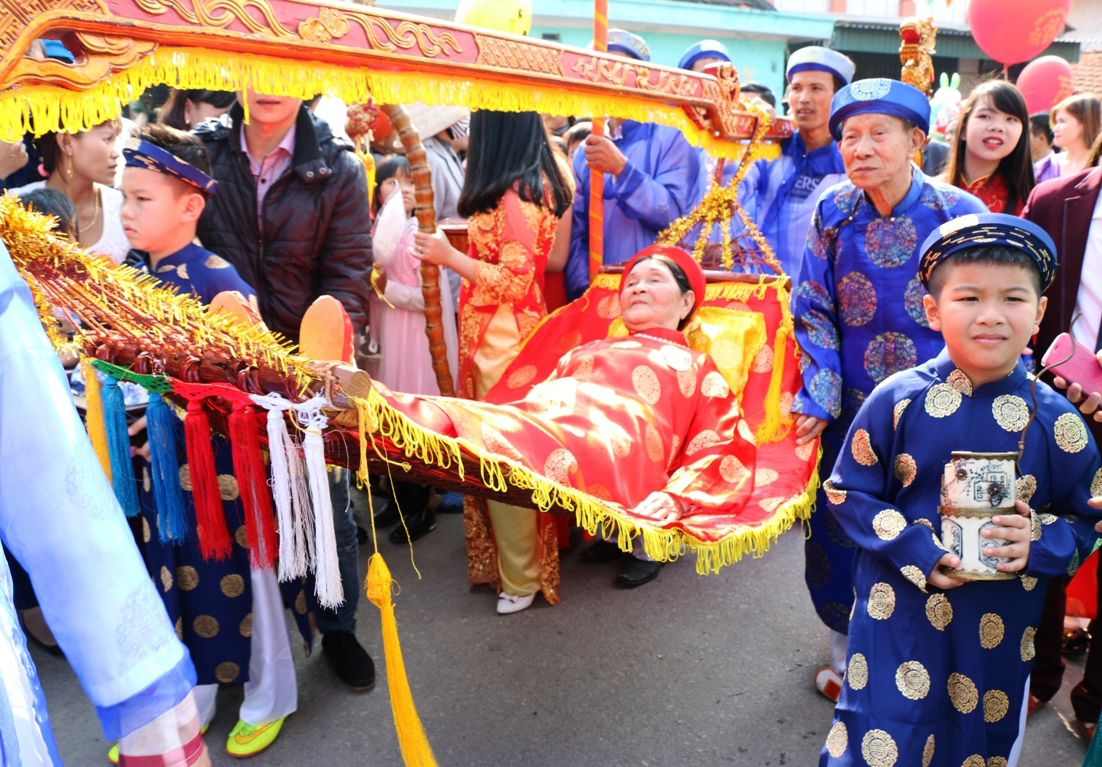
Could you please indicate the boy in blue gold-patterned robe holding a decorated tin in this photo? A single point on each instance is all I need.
(938, 666)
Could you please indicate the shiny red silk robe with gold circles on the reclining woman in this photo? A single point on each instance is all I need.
(619, 419)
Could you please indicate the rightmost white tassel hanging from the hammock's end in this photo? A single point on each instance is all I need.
(327, 574)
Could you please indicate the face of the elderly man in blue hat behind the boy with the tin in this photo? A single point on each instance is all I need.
(878, 149)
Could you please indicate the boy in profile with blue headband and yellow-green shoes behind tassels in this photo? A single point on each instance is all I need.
(230, 615)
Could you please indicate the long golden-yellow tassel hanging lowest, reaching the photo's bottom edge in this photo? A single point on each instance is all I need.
(412, 738)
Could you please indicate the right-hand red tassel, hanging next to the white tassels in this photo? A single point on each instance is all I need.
(253, 482)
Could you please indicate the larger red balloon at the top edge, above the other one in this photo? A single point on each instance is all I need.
(1012, 31)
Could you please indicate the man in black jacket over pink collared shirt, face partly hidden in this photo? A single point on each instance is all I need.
(291, 214)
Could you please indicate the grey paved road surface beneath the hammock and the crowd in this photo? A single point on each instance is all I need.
(687, 671)
